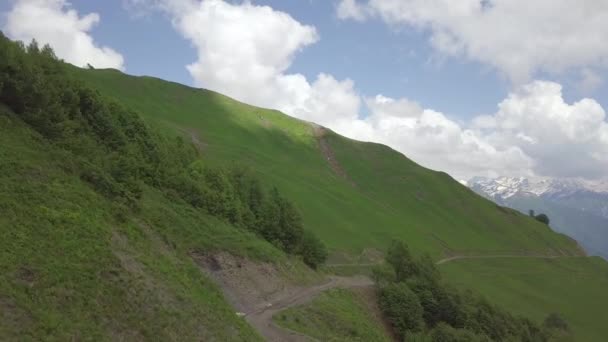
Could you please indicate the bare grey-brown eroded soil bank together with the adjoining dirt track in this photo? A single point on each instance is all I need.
(258, 291)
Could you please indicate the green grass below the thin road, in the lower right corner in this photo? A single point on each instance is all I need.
(573, 287)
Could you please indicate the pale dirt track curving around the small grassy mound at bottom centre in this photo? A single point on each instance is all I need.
(261, 319)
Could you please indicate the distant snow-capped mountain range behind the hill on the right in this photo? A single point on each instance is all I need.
(576, 208)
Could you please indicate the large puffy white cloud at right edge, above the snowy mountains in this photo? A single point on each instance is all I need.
(564, 140)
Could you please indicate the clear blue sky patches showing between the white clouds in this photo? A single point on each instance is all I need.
(379, 59)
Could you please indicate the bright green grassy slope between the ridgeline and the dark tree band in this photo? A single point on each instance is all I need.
(393, 196)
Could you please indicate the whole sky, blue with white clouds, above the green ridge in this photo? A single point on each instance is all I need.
(424, 80)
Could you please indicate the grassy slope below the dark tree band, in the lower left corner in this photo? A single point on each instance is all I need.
(70, 270)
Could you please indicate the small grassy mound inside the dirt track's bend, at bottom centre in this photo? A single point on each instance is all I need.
(335, 315)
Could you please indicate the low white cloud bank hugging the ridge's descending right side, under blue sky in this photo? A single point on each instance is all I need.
(433, 140)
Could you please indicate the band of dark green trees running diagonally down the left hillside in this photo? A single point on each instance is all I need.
(116, 152)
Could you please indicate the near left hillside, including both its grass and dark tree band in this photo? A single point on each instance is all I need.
(102, 218)
